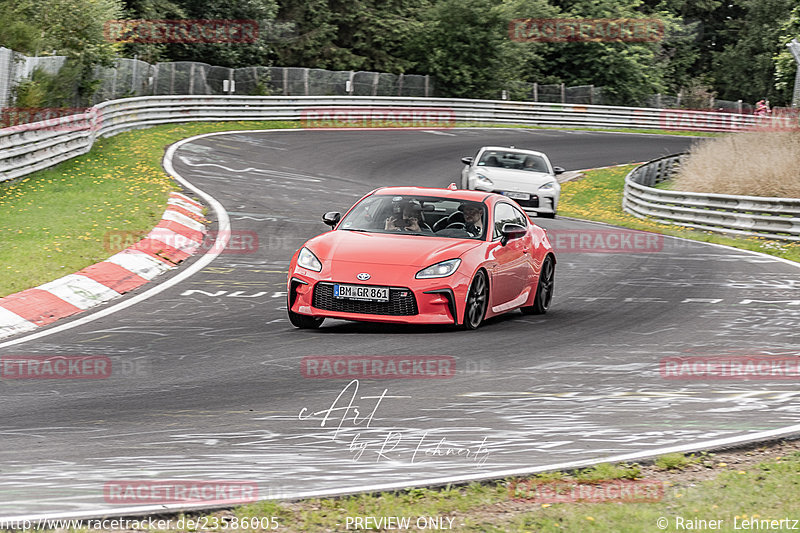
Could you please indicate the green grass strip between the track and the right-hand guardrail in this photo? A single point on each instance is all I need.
(599, 197)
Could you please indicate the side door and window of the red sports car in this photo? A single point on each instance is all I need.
(512, 267)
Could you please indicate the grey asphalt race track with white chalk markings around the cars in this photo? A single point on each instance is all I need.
(207, 382)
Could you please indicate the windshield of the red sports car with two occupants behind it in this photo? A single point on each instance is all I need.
(417, 215)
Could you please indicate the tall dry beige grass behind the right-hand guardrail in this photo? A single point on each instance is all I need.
(753, 164)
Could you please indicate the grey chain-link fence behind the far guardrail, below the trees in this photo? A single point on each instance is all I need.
(131, 77)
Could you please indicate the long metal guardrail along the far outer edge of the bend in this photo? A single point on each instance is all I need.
(29, 147)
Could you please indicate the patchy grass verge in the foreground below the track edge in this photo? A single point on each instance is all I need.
(730, 487)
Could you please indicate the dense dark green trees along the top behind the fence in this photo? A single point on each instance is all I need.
(730, 49)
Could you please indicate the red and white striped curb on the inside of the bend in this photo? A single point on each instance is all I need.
(179, 235)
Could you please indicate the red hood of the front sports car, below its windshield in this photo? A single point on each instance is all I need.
(387, 248)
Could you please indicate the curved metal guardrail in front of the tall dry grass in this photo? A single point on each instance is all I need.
(777, 218)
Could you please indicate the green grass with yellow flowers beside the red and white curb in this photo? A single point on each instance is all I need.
(55, 222)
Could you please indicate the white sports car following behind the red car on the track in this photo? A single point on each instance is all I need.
(525, 176)
